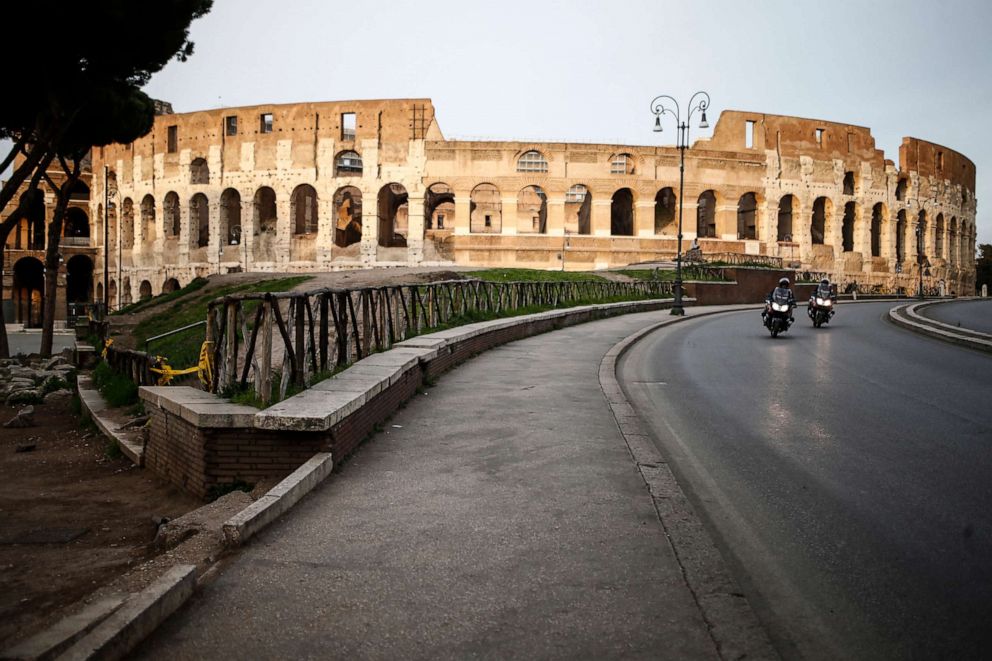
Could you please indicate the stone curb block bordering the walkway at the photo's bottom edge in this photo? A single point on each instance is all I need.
(136, 618)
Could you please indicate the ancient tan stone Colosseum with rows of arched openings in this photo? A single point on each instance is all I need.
(357, 184)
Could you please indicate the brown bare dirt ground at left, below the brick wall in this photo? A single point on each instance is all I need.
(71, 517)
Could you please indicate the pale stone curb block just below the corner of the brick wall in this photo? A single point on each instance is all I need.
(278, 500)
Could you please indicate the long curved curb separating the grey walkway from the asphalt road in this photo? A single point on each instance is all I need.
(734, 628)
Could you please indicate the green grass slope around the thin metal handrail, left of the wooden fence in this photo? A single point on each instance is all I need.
(183, 349)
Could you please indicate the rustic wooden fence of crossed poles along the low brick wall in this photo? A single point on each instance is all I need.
(321, 330)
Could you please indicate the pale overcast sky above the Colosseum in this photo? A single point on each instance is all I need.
(586, 70)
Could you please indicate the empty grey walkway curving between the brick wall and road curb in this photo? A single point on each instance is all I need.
(499, 515)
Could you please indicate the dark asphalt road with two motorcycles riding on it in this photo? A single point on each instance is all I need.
(845, 473)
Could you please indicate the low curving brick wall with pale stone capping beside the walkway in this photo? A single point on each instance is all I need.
(199, 441)
